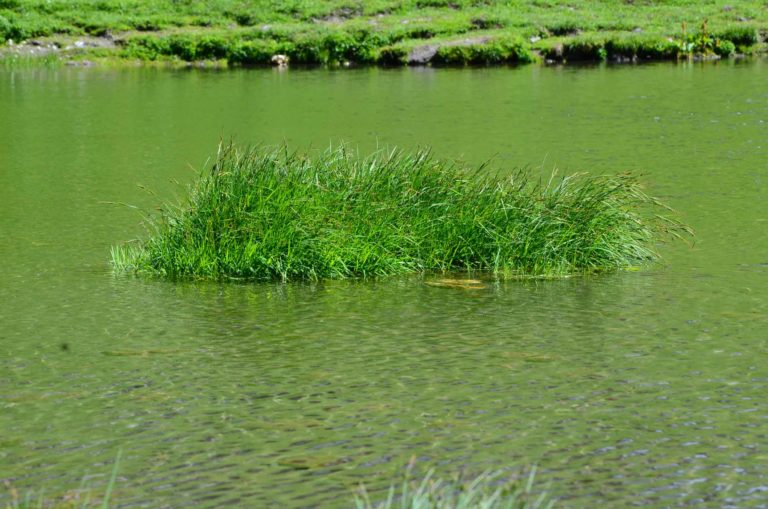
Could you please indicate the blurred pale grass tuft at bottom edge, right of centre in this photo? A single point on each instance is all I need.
(482, 492)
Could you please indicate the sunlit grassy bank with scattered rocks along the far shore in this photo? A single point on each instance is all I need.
(383, 32)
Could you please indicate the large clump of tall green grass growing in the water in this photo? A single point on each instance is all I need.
(261, 213)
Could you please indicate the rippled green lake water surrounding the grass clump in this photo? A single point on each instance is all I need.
(643, 388)
